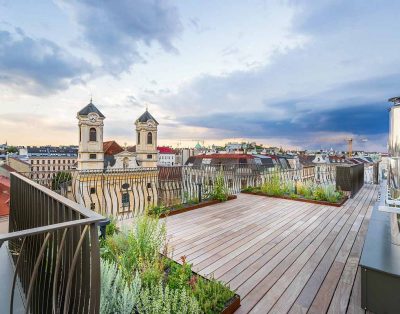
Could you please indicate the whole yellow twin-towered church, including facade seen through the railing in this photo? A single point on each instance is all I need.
(110, 179)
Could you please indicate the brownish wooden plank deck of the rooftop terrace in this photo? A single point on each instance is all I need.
(279, 255)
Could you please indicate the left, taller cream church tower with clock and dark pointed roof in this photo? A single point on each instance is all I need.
(91, 155)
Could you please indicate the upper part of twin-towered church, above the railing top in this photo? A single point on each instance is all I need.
(92, 154)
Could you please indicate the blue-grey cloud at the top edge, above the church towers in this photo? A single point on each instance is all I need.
(117, 29)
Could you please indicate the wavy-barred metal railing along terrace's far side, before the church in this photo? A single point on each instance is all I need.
(125, 193)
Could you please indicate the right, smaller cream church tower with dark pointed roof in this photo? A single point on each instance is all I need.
(146, 140)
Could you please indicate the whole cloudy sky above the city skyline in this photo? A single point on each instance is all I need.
(298, 74)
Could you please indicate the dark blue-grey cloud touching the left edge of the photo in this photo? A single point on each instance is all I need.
(38, 65)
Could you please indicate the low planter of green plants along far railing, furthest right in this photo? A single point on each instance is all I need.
(304, 192)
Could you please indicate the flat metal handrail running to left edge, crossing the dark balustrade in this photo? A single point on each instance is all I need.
(34, 231)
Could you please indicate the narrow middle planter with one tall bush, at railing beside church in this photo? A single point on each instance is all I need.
(217, 195)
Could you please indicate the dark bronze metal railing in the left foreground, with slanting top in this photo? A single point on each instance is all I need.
(54, 247)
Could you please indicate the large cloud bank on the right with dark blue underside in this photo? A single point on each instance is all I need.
(338, 81)
